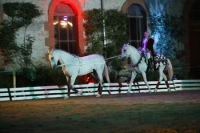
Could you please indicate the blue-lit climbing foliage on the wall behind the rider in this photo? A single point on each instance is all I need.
(167, 27)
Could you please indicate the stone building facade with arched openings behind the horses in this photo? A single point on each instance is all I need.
(61, 24)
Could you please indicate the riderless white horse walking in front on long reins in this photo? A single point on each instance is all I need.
(73, 66)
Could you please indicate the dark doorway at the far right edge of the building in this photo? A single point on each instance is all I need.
(194, 41)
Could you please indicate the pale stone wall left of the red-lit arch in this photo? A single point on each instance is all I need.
(37, 30)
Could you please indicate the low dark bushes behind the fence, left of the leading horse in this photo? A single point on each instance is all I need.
(39, 76)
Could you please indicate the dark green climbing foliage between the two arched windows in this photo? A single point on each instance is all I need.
(116, 34)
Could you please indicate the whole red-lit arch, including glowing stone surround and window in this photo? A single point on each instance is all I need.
(66, 26)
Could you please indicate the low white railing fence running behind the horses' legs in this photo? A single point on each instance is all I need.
(27, 93)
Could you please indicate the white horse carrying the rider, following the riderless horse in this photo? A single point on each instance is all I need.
(139, 66)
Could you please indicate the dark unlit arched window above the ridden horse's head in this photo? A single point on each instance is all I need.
(137, 23)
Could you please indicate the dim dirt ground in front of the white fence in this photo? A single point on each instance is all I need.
(174, 112)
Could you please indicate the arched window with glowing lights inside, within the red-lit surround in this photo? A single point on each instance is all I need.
(65, 28)
